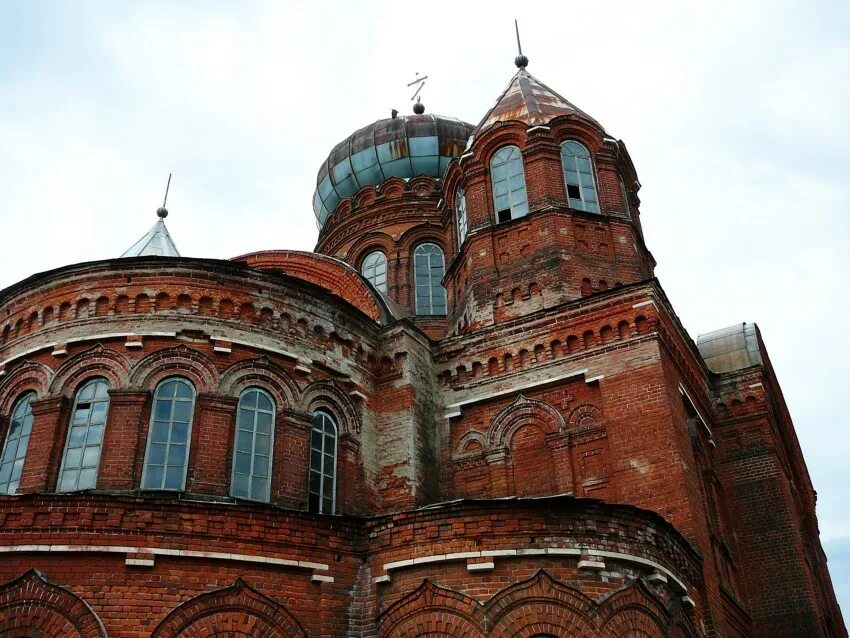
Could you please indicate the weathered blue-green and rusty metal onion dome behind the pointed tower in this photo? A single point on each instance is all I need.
(401, 146)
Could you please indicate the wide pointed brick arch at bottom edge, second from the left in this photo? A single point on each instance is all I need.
(238, 610)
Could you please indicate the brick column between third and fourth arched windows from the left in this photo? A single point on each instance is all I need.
(211, 450)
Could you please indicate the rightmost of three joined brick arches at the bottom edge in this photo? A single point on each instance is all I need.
(633, 611)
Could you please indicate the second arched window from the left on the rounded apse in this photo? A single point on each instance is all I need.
(85, 437)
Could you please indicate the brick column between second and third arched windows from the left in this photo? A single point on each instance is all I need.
(126, 429)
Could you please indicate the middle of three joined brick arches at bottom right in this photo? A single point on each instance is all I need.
(541, 605)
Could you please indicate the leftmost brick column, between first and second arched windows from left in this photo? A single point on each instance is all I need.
(45, 447)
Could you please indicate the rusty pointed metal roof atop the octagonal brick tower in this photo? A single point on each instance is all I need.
(528, 100)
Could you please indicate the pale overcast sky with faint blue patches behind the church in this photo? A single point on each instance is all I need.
(736, 114)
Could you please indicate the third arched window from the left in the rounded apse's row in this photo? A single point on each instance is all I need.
(168, 438)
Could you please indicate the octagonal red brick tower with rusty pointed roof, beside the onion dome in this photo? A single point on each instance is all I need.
(545, 209)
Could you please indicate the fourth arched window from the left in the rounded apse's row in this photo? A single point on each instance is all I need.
(252, 452)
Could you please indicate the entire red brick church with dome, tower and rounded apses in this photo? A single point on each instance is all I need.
(471, 412)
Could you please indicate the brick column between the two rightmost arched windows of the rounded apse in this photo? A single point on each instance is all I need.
(291, 458)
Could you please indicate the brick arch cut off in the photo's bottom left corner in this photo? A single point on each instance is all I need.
(30, 605)
